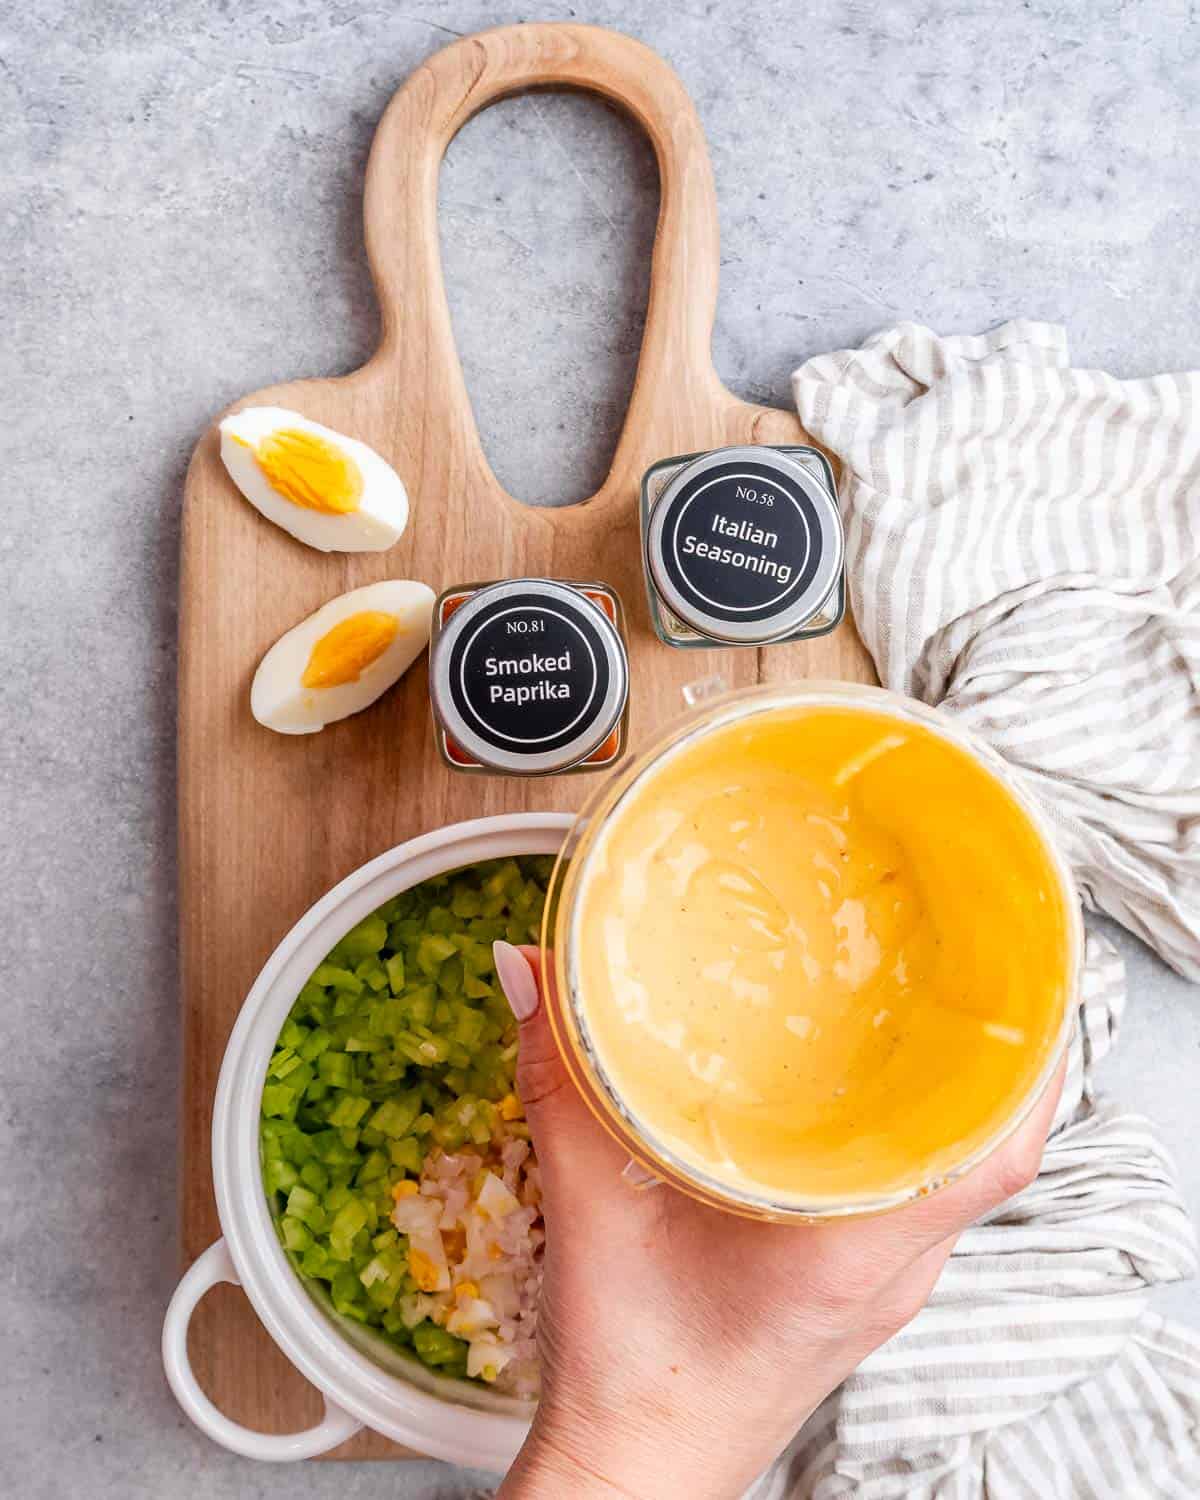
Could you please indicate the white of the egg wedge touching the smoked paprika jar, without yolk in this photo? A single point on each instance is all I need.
(280, 700)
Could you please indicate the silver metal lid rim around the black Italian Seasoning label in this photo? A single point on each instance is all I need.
(802, 610)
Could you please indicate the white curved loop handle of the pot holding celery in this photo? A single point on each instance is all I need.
(211, 1268)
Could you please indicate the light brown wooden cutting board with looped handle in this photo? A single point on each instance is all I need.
(271, 823)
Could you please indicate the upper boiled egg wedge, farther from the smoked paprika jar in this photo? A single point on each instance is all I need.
(326, 490)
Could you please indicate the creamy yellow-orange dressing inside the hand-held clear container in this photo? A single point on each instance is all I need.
(821, 955)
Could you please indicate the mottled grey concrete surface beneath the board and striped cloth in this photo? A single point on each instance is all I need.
(181, 200)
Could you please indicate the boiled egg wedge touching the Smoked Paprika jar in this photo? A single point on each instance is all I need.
(341, 659)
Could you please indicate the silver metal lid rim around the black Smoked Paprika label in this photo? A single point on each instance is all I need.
(598, 728)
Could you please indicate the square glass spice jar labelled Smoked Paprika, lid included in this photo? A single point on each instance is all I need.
(529, 677)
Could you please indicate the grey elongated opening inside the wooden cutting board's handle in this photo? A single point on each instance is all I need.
(566, 244)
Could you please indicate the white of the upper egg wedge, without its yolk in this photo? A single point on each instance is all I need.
(383, 511)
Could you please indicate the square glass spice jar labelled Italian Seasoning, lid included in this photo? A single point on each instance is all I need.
(743, 547)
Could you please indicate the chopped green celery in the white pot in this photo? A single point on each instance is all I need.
(400, 1042)
